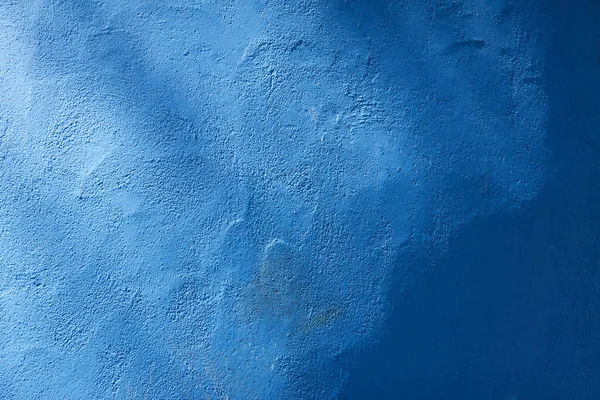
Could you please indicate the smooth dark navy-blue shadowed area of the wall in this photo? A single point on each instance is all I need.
(513, 310)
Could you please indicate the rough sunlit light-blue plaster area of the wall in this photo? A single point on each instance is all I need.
(216, 199)
